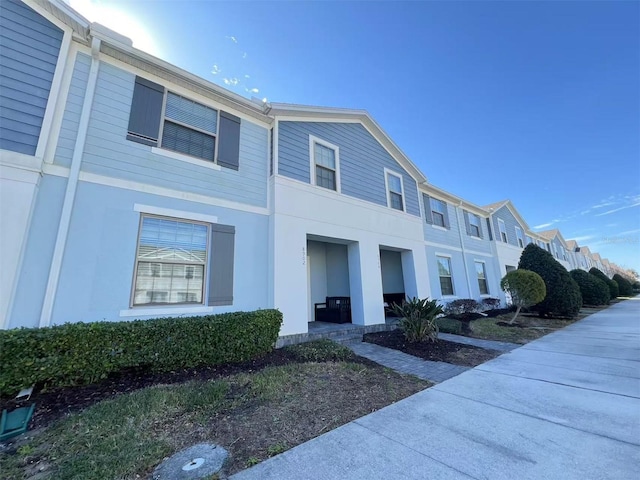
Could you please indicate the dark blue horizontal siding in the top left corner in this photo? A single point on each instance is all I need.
(29, 50)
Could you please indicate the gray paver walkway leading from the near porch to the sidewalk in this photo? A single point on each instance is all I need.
(405, 363)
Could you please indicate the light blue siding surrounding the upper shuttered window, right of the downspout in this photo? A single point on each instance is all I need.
(107, 152)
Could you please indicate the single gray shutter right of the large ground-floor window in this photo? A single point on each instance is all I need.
(221, 265)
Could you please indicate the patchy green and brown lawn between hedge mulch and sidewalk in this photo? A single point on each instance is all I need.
(254, 415)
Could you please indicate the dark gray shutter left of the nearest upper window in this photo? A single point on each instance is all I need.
(146, 109)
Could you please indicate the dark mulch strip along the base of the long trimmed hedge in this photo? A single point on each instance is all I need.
(54, 404)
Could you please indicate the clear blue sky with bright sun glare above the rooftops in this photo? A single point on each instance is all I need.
(538, 102)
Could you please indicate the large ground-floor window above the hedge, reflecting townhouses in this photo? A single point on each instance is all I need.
(171, 261)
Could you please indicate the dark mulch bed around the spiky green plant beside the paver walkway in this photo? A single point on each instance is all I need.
(440, 351)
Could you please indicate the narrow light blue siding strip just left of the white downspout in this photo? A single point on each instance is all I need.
(72, 111)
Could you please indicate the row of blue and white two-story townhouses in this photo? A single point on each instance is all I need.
(132, 189)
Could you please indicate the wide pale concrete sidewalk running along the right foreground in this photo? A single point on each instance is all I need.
(566, 406)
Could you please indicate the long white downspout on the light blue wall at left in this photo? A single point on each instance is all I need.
(72, 187)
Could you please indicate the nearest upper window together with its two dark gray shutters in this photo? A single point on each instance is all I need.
(173, 122)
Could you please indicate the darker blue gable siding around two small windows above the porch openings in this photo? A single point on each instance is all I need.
(362, 160)
